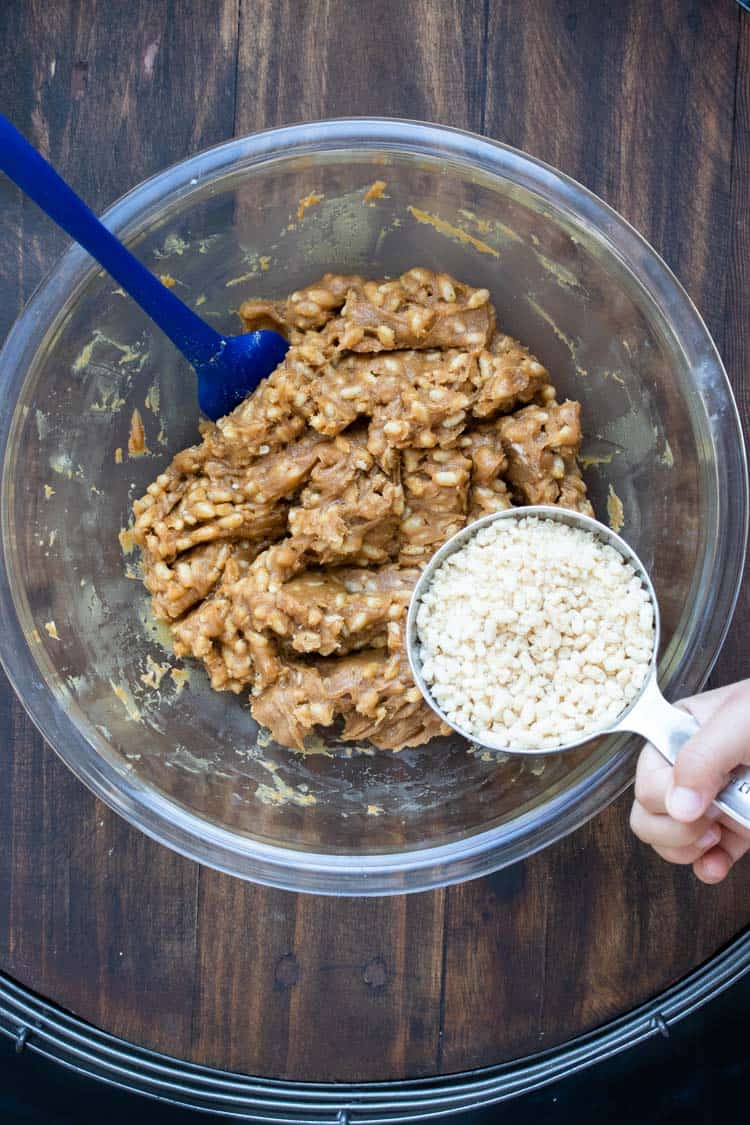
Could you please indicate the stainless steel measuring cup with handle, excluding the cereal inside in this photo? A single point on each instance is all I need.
(666, 727)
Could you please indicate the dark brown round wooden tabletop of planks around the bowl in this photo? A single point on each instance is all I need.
(648, 104)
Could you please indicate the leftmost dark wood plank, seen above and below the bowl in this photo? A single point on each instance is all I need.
(92, 913)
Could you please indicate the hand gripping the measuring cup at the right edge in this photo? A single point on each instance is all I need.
(673, 812)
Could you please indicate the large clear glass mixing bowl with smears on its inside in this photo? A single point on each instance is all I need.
(568, 277)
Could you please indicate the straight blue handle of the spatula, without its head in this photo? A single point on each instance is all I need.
(39, 179)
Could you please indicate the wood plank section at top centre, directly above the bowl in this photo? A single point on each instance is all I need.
(303, 60)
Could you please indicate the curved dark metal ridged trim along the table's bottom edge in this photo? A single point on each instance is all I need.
(39, 1027)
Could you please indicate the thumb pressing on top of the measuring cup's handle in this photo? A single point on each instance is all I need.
(706, 762)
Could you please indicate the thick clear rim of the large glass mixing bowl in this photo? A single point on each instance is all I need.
(420, 869)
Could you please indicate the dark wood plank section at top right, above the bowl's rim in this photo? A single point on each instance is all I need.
(636, 102)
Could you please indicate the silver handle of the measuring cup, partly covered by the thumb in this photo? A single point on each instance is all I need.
(670, 728)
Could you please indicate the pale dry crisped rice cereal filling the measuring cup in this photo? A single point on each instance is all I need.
(535, 634)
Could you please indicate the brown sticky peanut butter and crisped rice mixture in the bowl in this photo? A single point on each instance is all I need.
(283, 551)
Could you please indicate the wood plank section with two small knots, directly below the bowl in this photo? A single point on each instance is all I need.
(315, 988)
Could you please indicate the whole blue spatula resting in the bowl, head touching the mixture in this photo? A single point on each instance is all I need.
(228, 367)
